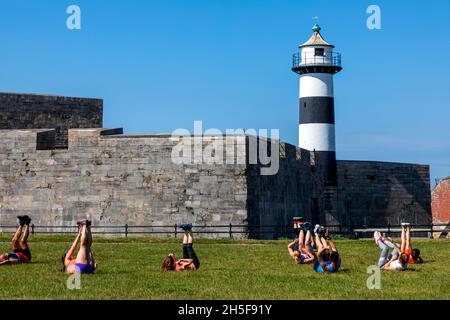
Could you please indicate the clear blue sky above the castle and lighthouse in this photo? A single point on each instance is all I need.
(160, 65)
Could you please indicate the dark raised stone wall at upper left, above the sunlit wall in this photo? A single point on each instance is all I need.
(29, 111)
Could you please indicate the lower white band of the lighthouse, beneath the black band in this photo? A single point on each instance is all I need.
(317, 136)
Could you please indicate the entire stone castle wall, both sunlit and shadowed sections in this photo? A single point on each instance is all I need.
(59, 175)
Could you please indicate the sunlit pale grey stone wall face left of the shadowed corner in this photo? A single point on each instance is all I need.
(115, 180)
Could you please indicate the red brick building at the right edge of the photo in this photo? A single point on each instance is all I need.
(440, 201)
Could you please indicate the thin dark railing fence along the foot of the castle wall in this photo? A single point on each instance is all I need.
(242, 231)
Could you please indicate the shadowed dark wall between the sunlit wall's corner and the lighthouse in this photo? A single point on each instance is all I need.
(273, 200)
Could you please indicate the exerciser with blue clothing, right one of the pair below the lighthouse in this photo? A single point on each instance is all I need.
(327, 258)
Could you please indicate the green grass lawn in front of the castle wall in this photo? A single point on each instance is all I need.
(240, 269)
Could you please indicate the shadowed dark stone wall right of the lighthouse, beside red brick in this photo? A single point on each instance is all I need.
(381, 193)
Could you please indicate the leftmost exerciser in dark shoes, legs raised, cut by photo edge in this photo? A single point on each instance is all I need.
(21, 251)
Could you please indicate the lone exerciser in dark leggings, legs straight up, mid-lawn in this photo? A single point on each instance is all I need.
(190, 260)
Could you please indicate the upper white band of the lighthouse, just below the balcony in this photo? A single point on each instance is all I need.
(316, 85)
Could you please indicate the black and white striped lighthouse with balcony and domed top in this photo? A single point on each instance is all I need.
(316, 64)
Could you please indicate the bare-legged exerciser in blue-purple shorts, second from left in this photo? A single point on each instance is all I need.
(84, 262)
